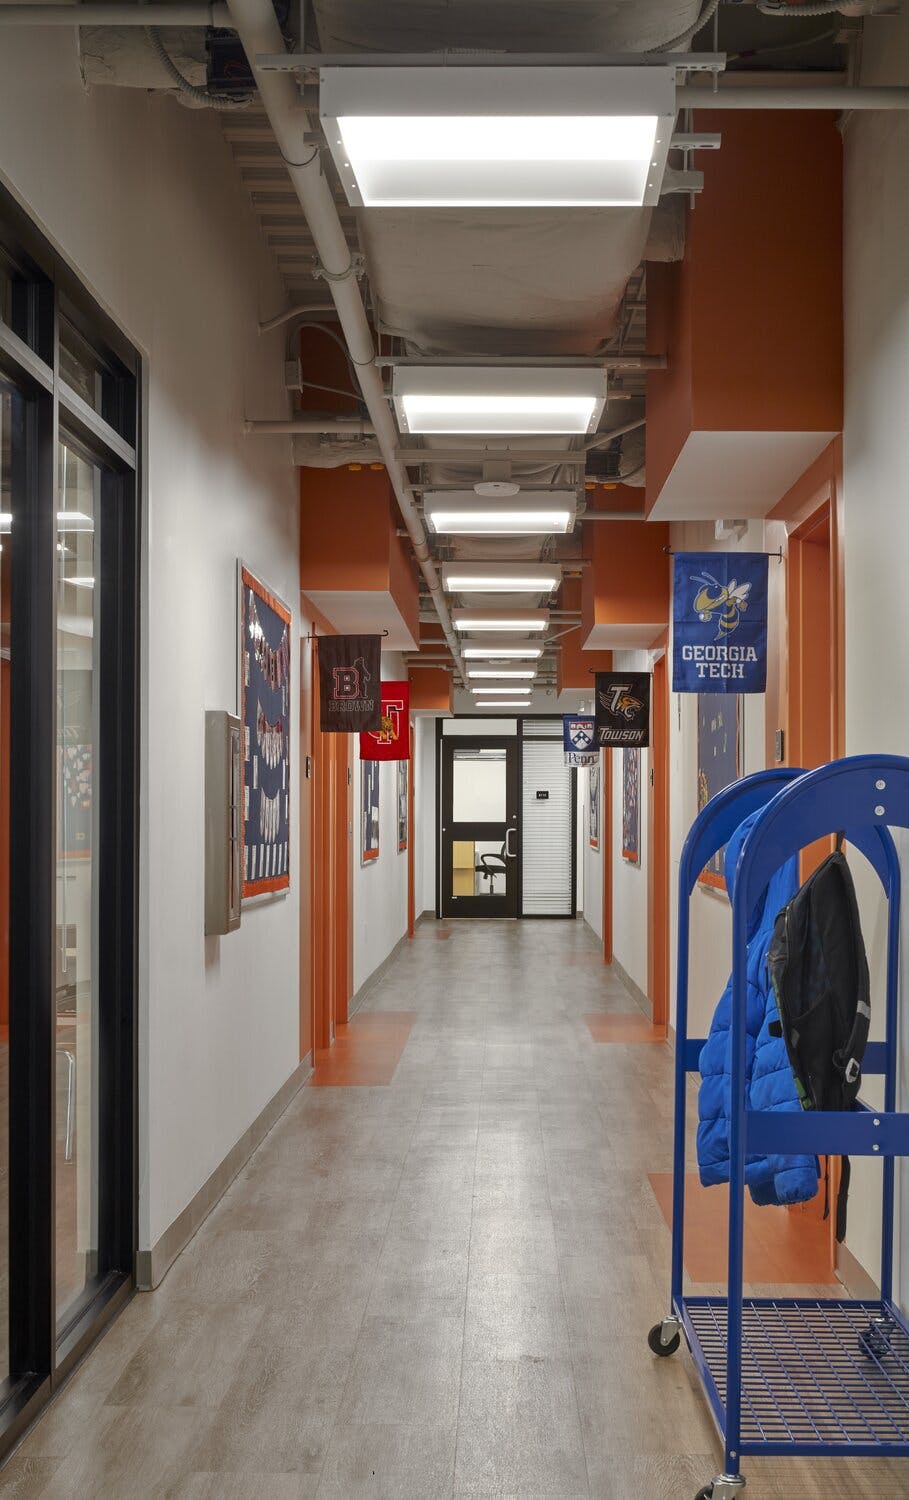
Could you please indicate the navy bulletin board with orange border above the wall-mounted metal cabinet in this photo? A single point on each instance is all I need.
(265, 716)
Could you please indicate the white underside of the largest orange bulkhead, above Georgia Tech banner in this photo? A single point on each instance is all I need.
(736, 473)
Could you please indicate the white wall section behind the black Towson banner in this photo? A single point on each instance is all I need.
(629, 881)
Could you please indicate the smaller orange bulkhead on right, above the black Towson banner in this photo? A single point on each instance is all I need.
(628, 580)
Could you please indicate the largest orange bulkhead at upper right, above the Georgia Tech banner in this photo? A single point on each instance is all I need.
(752, 319)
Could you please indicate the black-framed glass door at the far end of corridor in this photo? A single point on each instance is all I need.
(479, 827)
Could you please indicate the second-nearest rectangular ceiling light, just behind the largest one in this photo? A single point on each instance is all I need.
(499, 401)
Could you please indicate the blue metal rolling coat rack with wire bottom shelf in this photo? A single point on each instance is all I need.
(790, 1376)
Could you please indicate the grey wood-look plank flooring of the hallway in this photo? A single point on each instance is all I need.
(434, 1288)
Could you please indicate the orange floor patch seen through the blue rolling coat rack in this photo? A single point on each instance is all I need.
(782, 1247)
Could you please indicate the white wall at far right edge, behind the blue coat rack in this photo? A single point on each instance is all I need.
(877, 463)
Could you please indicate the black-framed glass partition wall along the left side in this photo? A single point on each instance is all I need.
(68, 818)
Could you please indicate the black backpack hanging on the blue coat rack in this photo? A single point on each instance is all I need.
(820, 974)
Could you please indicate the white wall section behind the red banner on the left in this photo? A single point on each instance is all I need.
(380, 887)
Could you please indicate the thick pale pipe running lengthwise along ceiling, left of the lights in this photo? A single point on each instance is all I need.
(260, 34)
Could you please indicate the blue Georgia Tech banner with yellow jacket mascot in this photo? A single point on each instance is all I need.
(719, 623)
